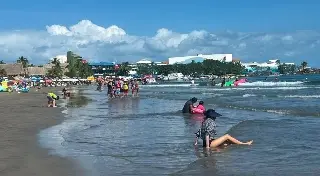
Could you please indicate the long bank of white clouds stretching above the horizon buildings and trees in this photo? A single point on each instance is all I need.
(115, 44)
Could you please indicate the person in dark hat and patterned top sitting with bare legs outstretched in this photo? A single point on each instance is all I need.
(208, 131)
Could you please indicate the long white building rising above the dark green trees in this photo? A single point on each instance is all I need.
(219, 57)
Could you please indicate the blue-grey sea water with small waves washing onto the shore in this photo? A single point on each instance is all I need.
(147, 135)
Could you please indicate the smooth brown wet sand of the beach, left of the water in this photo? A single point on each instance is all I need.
(22, 116)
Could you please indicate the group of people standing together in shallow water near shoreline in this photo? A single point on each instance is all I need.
(120, 87)
